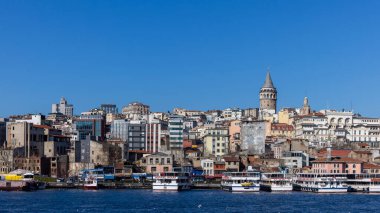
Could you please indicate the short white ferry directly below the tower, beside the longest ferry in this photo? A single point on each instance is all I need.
(276, 182)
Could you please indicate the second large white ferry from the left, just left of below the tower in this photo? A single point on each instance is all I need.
(241, 181)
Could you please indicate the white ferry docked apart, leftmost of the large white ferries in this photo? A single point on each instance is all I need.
(171, 181)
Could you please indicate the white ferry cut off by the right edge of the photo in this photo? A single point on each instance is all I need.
(364, 183)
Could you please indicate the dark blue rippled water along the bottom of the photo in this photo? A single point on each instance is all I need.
(187, 201)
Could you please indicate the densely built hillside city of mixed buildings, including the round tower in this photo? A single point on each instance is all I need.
(206, 144)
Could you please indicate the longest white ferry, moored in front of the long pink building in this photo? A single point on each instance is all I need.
(321, 183)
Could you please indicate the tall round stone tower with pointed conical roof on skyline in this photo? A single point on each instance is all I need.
(268, 95)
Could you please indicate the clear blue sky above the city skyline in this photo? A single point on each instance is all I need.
(193, 54)
